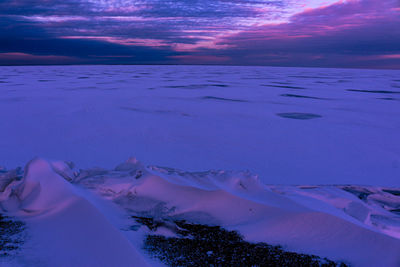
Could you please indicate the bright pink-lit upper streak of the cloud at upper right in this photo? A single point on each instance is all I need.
(324, 20)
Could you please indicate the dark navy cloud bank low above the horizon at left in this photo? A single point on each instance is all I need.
(18, 36)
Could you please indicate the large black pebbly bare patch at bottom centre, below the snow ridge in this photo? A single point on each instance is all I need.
(203, 245)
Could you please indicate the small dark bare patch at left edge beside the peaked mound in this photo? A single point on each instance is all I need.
(10, 235)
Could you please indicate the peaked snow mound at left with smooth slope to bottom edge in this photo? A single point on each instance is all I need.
(65, 229)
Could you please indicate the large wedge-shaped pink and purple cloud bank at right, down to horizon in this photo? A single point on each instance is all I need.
(340, 34)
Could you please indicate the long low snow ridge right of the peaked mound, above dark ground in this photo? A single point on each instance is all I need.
(323, 220)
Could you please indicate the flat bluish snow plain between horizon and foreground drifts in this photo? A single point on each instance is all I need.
(289, 125)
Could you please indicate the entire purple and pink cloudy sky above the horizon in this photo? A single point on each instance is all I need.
(316, 33)
